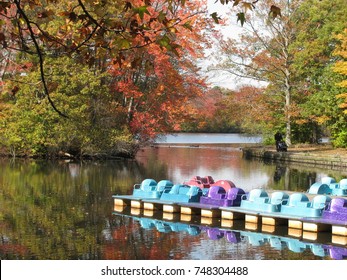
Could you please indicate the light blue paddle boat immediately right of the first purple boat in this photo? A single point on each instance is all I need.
(259, 200)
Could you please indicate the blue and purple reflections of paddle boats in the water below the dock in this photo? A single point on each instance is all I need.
(234, 236)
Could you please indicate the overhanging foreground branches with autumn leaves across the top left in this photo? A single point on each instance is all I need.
(91, 28)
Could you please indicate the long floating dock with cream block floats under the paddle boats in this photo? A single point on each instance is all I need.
(230, 214)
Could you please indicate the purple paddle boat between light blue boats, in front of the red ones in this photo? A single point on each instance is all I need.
(220, 197)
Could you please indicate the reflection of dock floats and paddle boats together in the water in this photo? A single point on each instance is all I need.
(279, 239)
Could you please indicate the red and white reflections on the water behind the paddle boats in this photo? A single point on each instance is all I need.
(182, 163)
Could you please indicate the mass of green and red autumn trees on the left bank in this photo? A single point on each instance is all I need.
(139, 80)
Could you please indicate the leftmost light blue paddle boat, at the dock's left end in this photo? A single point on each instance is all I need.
(149, 188)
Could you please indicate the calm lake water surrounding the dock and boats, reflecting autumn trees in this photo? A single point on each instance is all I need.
(64, 210)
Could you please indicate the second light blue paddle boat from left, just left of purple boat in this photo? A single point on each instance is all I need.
(182, 193)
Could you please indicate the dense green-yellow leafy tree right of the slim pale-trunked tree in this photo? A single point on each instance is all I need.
(317, 24)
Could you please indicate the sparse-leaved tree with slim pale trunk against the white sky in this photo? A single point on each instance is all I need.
(262, 54)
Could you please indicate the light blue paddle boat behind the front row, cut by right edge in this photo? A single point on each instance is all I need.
(329, 186)
